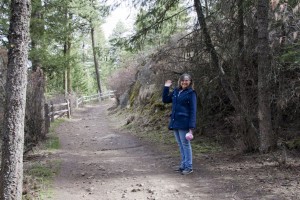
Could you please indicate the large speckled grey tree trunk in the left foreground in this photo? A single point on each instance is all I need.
(14, 111)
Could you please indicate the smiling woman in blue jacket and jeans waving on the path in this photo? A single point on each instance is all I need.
(183, 117)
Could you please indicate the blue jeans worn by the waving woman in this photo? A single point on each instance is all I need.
(185, 149)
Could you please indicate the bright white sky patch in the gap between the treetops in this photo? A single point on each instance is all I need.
(122, 13)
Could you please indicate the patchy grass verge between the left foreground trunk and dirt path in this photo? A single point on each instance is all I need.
(39, 169)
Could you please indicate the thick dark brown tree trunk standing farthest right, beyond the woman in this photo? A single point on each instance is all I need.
(267, 138)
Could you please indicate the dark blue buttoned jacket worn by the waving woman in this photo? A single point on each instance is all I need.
(184, 107)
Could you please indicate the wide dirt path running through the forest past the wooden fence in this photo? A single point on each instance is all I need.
(101, 163)
